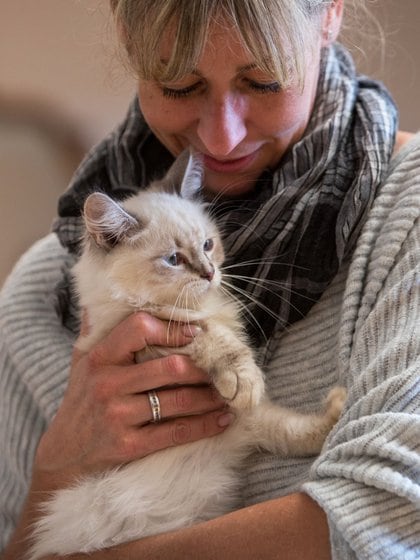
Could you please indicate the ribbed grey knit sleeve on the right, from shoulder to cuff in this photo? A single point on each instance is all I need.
(368, 478)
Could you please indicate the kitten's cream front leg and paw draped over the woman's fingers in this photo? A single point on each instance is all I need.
(231, 365)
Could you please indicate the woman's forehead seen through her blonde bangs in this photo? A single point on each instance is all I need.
(172, 48)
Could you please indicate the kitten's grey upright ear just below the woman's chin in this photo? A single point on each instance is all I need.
(184, 176)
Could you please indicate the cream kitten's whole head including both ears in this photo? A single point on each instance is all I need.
(158, 248)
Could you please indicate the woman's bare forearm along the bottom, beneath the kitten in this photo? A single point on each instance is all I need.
(294, 527)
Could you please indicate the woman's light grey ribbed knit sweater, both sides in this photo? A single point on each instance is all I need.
(364, 333)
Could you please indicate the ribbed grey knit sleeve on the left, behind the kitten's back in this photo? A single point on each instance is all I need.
(35, 352)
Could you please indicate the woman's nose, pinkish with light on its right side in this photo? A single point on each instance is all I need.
(222, 125)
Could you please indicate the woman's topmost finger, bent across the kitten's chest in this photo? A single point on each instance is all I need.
(138, 331)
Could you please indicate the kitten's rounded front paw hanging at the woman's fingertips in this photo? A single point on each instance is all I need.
(242, 390)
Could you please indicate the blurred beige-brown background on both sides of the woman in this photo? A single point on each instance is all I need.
(62, 88)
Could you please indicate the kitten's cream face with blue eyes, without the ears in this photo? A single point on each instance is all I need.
(171, 257)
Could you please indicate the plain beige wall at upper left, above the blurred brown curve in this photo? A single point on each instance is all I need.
(63, 51)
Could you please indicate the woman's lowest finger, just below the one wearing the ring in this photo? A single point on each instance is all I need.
(179, 431)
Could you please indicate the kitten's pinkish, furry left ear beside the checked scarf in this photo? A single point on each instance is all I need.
(107, 223)
